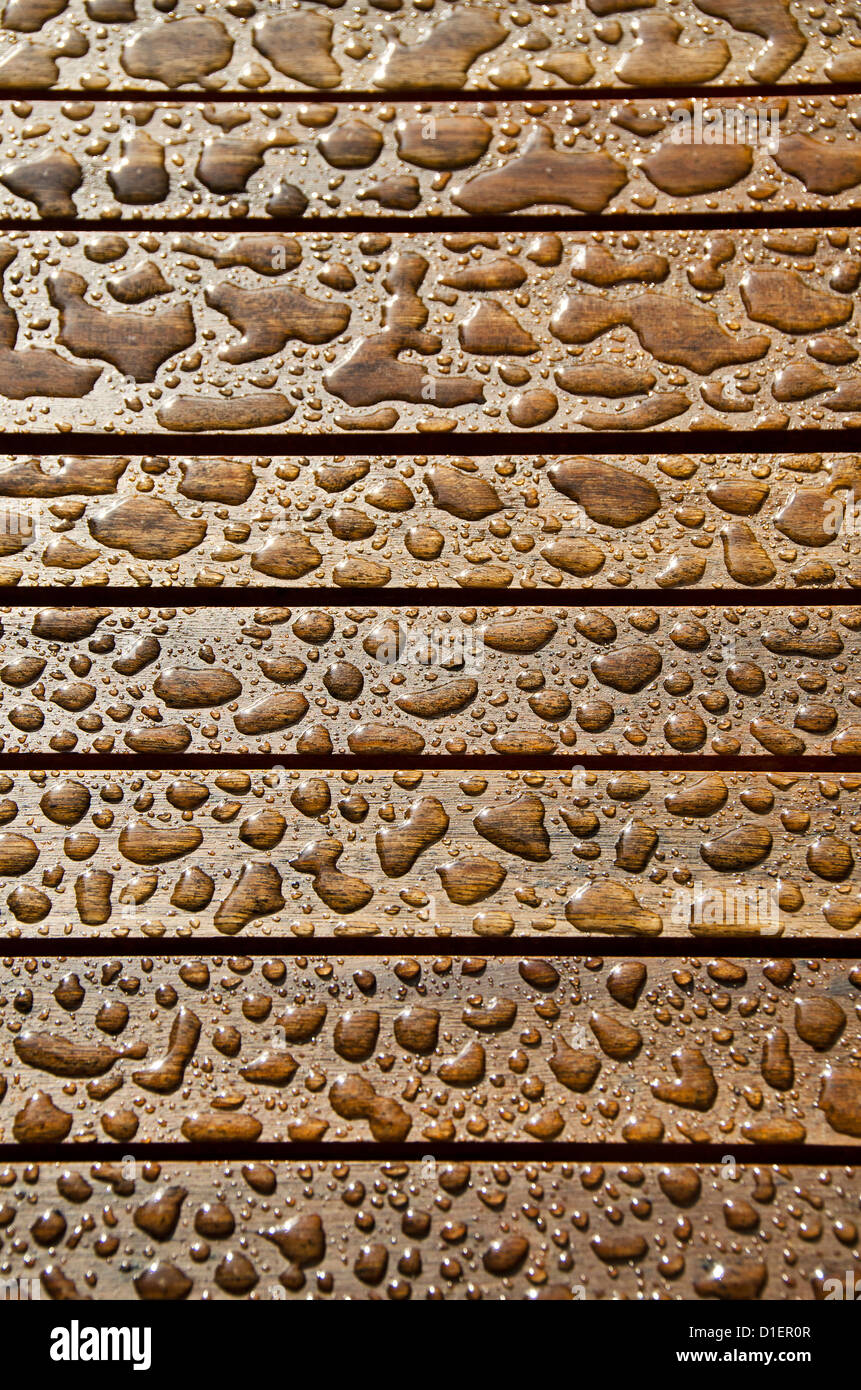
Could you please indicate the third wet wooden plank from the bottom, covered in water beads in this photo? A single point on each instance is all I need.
(447, 854)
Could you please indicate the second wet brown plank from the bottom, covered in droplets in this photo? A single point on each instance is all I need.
(385, 1050)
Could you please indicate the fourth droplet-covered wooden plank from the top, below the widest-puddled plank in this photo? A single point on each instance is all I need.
(468, 523)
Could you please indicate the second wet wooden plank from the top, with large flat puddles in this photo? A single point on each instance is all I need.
(428, 159)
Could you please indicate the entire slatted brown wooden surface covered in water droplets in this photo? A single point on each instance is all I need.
(489, 330)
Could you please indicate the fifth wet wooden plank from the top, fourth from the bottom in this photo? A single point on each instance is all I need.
(408, 682)
